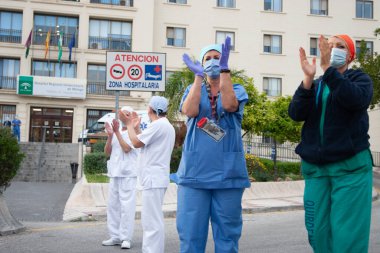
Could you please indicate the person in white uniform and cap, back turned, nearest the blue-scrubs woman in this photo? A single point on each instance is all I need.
(156, 143)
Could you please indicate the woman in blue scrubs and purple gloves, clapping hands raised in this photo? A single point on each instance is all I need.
(212, 174)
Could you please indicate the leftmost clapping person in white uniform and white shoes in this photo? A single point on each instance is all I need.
(121, 169)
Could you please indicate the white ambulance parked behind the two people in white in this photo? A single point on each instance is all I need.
(97, 130)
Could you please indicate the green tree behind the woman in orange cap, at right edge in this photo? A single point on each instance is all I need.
(370, 64)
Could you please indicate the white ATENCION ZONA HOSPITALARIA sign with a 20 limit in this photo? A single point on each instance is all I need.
(136, 71)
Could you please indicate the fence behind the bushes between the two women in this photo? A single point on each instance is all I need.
(262, 147)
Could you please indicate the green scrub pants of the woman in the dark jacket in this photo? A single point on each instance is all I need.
(338, 212)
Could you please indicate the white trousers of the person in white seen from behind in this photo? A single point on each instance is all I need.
(152, 219)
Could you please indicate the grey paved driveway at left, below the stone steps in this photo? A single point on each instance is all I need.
(36, 201)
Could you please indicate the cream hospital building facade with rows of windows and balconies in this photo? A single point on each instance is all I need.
(266, 36)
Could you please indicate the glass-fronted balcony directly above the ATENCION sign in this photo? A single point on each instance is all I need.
(111, 43)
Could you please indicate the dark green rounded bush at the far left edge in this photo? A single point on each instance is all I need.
(10, 158)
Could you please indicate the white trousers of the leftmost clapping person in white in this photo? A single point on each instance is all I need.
(121, 207)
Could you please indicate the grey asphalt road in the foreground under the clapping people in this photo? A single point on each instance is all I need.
(277, 232)
